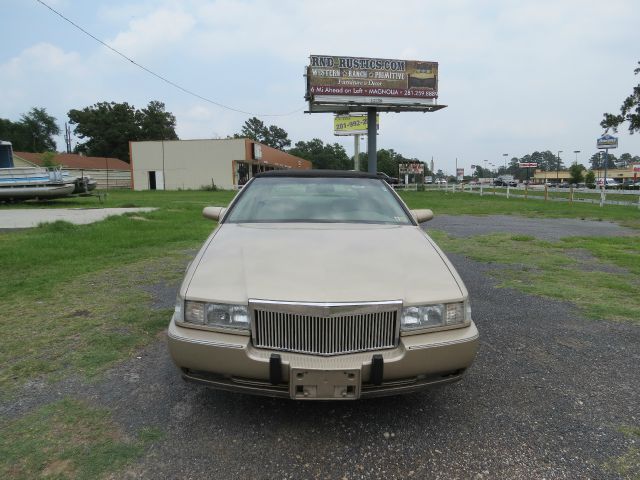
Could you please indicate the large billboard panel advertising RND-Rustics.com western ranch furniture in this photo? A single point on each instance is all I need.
(371, 81)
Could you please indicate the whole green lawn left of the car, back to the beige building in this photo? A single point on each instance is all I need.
(71, 296)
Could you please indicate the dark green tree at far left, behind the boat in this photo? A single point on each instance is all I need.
(34, 131)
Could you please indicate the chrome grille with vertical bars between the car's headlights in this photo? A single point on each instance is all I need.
(325, 329)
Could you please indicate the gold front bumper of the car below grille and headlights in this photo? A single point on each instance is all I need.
(230, 362)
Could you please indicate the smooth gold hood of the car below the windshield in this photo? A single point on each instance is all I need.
(321, 263)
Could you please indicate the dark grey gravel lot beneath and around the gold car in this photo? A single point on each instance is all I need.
(544, 399)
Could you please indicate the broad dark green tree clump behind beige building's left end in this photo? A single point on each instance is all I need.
(109, 127)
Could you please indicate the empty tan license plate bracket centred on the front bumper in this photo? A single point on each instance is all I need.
(311, 384)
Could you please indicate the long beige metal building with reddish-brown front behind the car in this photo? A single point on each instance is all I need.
(194, 164)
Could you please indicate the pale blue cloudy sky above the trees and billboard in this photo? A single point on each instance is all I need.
(516, 76)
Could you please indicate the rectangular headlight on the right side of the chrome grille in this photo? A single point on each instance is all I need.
(435, 316)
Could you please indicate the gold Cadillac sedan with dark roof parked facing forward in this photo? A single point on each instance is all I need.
(321, 285)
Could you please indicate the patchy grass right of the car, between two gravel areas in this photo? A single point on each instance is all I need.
(604, 281)
